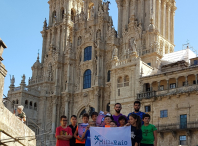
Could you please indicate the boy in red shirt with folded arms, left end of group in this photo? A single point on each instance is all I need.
(63, 133)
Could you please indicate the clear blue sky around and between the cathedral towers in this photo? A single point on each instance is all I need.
(22, 21)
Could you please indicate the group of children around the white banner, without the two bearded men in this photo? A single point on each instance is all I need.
(141, 135)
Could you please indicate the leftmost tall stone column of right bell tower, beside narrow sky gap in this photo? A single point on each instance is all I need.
(120, 11)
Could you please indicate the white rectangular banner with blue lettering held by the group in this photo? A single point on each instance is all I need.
(101, 136)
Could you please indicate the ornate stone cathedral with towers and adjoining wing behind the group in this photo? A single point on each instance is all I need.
(86, 65)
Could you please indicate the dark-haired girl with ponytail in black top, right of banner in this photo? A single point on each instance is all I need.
(136, 132)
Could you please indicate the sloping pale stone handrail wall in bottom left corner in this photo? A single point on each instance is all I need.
(12, 125)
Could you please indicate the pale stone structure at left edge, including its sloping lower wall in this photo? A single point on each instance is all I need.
(12, 131)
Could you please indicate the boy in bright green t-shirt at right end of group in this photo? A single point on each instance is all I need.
(149, 132)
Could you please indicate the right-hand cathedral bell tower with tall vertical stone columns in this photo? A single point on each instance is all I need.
(155, 18)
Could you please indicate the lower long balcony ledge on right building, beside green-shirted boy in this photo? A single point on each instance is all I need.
(177, 126)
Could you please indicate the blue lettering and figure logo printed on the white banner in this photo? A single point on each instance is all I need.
(103, 142)
